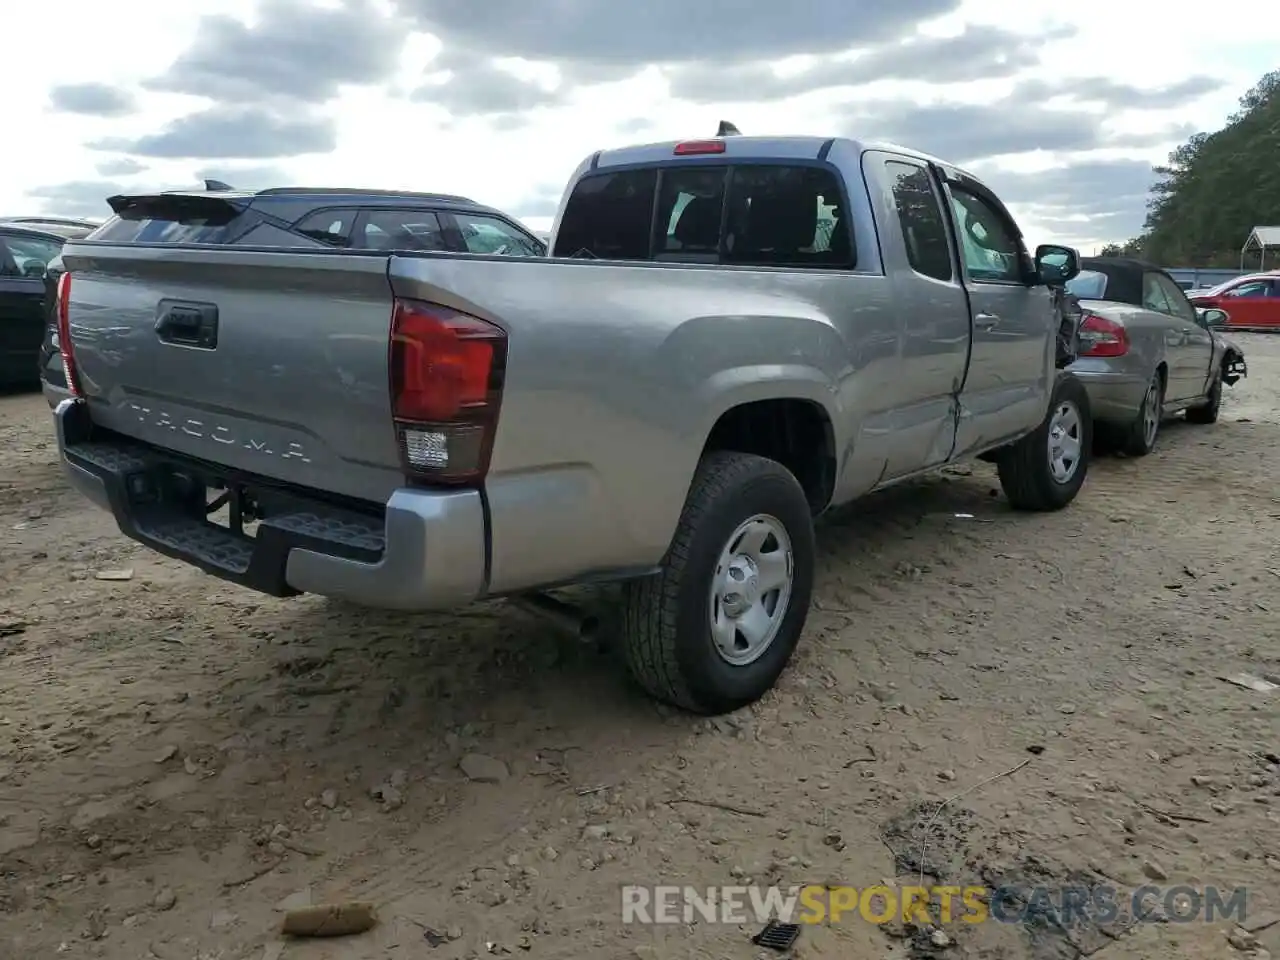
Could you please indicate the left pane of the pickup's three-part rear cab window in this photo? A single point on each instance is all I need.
(609, 217)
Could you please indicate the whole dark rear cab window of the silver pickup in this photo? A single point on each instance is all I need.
(746, 213)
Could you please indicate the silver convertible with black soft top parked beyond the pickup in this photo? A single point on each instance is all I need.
(1146, 353)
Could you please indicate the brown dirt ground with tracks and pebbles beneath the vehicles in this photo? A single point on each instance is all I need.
(182, 760)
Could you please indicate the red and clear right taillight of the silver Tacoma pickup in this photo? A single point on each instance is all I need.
(447, 373)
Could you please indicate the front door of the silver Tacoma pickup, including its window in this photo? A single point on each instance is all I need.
(1012, 367)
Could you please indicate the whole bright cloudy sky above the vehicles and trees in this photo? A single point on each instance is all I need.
(1063, 108)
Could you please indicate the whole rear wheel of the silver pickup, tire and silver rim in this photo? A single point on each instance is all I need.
(716, 628)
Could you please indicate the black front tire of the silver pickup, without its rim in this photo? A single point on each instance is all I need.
(1026, 468)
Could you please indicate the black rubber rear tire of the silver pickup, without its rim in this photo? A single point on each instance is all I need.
(666, 619)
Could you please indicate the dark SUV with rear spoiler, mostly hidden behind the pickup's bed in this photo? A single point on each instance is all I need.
(291, 217)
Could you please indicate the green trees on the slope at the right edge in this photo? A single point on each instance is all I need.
(1215, 189)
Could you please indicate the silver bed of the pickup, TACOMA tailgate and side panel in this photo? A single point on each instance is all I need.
(616, 374)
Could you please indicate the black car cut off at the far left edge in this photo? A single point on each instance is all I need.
(25, 257)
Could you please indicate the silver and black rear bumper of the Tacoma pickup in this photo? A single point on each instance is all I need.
(427, 552)
